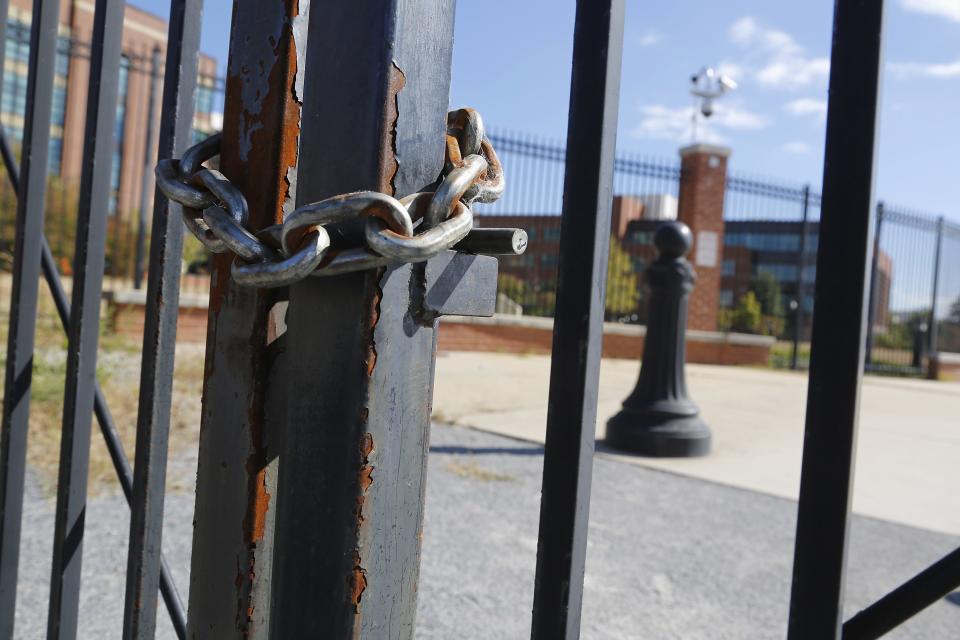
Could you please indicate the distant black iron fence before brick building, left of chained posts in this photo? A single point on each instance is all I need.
(139, 85)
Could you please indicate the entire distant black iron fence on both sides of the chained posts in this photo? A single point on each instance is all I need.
(770, 239)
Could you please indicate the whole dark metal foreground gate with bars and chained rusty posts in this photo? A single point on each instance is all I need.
(317, 394)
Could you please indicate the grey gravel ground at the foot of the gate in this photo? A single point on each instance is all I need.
(668, 557)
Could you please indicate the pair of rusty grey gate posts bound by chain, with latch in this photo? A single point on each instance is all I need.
(329, 419)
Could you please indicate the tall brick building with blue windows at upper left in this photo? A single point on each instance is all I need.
(142, 34)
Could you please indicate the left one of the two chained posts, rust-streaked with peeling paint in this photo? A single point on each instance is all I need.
(237, 470)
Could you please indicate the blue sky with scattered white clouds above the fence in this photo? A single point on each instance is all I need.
(512, 62)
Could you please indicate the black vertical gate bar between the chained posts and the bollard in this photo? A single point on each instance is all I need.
(578, 327)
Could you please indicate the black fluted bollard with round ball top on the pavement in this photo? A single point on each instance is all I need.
(659, 418)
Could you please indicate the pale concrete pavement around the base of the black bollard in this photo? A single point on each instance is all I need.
(909, 439)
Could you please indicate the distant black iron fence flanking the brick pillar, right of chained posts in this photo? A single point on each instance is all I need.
(769, 257)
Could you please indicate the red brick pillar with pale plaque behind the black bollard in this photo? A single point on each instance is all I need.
(702, 187)
